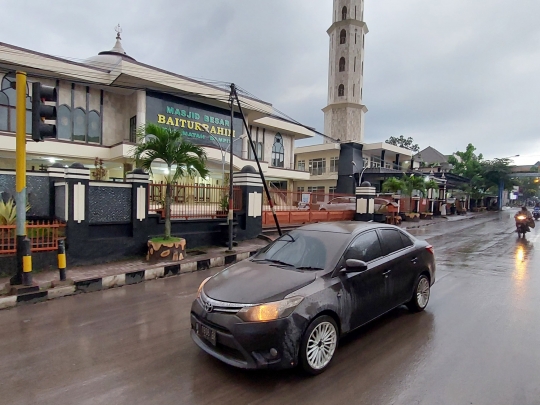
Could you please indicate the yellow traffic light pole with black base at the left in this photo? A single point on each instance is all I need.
(24, 259)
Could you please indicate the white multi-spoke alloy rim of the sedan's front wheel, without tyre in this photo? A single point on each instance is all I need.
(321, 345)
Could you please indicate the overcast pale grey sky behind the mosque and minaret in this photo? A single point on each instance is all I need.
(445, 73)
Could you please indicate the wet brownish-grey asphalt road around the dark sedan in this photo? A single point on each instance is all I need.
(478, 342)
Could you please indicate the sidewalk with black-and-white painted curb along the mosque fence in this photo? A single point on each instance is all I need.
(117, 274)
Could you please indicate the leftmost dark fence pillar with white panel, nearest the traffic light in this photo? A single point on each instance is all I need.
(77, 230)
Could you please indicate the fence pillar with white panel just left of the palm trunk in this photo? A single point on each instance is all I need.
(139, 203)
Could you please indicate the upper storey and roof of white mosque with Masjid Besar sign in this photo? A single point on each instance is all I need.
(103, 100)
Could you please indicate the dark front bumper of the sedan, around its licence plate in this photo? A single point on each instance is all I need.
(249, 345)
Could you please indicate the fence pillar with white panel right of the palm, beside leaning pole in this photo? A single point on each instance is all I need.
(249, 218)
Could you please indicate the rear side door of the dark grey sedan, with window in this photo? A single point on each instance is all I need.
(401, 259)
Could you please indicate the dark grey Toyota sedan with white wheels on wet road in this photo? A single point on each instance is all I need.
(291, 302)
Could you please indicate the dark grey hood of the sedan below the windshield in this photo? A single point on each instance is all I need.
(252, 283)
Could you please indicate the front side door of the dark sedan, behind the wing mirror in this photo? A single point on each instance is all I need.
(365, 294)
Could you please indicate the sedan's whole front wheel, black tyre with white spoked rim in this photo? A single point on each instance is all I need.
(319, 345)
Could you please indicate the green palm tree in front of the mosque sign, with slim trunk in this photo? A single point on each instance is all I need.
(156, 143)
